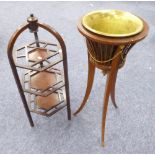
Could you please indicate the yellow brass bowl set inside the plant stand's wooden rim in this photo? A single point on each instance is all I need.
(113, 23)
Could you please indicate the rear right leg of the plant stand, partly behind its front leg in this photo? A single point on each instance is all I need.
(113, 89)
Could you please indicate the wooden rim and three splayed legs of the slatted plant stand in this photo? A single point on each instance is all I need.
(111, 70)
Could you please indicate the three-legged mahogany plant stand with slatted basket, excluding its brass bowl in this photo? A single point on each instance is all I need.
(107, 54)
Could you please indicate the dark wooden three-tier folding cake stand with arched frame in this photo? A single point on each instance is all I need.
(44, 88)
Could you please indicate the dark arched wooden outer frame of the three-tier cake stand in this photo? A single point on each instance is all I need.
(33, 27)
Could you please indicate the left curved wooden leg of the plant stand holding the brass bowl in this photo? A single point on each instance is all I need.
(91, 73)
